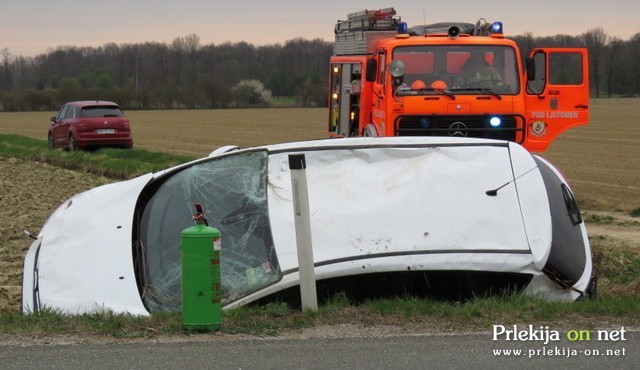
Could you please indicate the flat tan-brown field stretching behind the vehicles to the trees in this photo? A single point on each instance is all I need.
(601, 160)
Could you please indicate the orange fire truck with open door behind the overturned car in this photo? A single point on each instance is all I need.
(451, 79)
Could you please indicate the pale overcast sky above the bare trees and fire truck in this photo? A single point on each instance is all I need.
(31, 27)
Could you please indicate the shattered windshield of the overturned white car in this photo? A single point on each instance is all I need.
(232, 191)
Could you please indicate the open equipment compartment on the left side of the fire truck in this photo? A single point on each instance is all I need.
(346, 85)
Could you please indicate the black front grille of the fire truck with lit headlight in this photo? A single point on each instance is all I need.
(503, 128)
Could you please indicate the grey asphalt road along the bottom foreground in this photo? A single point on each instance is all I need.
(388, 352)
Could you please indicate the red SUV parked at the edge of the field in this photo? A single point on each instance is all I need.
(83, 124)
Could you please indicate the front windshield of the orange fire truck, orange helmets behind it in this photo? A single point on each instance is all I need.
(454, 69)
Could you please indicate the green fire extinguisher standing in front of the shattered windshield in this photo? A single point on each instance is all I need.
(200, 247)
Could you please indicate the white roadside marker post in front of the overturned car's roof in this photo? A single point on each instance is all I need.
(308, 294)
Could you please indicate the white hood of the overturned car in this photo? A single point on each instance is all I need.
(84, 254)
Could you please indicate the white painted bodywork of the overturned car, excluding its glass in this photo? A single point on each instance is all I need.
(376, 205)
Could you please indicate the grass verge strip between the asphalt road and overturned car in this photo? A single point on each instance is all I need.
(403, 313)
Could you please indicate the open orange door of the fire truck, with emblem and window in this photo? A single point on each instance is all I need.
(557, 99)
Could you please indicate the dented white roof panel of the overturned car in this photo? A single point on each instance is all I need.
(460, 222)
